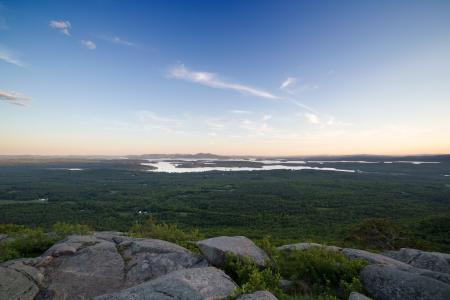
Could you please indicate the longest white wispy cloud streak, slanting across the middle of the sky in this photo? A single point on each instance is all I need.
(213, 81)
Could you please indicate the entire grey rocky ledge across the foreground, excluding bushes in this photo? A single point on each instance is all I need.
(109, 265)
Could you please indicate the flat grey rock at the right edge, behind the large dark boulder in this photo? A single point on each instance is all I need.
(433, 261)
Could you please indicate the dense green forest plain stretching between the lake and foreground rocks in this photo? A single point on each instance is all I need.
(290, 206)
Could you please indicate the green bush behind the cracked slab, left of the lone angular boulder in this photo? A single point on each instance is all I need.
(167, 232)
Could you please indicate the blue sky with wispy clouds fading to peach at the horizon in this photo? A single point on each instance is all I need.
(227, 77)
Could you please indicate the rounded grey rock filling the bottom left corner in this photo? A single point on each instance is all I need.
(16, 285)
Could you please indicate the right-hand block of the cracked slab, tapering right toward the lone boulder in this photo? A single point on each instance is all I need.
(148, 259)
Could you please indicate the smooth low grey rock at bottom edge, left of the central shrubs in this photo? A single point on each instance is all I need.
(187, 284)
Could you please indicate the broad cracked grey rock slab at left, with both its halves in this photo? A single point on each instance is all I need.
(82, 267)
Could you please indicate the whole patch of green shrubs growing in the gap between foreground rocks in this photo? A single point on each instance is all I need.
(315, 273)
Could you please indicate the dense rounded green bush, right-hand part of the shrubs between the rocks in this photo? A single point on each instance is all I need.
(319, 271)
